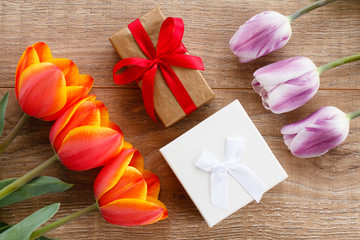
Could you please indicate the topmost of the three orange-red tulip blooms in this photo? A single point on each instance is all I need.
(45, 86)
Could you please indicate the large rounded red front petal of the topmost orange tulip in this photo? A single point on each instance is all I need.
(42, 90)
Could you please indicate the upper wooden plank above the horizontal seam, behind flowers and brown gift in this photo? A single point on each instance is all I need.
(79, 30)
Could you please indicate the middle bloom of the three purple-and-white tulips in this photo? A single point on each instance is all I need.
(287, 84)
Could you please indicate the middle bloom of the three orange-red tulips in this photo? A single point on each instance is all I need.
(83, 136)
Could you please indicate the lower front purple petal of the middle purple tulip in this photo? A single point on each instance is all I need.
(294, 93)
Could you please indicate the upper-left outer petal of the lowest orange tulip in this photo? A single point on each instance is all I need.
(110, 175)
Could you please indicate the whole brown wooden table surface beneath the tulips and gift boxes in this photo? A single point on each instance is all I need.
(319, 200)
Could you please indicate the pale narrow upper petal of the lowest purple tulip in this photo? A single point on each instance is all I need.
(321, 114)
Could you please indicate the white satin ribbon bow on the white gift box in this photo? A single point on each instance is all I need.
(242, 174)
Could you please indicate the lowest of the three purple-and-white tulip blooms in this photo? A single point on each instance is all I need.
(313, 136)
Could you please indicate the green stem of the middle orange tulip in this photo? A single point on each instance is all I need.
(27, 177)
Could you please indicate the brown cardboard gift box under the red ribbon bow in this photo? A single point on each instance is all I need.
(166, 105)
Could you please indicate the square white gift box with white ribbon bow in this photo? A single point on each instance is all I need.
(223, 163)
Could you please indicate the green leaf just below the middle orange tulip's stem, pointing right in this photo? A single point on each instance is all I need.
(36, 187)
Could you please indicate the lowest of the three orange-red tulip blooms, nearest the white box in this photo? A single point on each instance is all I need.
(127, 194)
